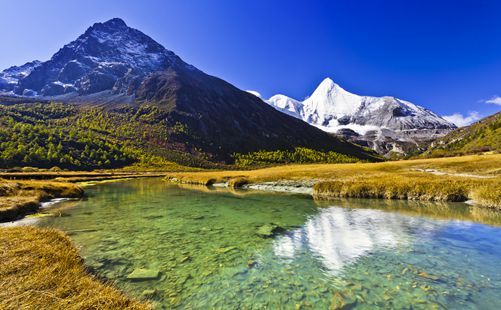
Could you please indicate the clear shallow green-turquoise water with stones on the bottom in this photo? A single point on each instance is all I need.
(364, 254)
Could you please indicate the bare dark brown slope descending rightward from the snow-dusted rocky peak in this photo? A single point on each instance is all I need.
(229, 120)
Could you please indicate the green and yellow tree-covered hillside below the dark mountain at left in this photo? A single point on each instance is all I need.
(47, 135)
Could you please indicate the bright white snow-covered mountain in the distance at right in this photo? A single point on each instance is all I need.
(385, 124)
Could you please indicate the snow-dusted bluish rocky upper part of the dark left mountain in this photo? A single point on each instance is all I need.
(108, 57)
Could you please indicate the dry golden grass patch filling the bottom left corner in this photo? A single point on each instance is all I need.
(41, 269)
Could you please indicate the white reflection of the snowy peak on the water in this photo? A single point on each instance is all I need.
(339, 236)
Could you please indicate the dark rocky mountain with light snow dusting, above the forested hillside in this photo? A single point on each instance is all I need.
(122, 69)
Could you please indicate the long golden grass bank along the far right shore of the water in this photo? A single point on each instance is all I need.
(475, 177)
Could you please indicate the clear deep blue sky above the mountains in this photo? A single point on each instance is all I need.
(444, 55)
